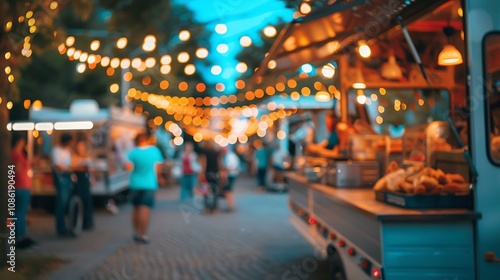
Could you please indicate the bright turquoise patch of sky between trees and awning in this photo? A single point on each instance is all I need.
(242, 18)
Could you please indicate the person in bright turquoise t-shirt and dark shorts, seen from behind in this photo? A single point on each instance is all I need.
(143, 164)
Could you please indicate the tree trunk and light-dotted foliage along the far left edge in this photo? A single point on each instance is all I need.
(25, 27)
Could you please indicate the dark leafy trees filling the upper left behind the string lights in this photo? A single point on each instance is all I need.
(31, 31)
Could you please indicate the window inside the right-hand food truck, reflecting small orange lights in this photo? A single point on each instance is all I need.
(392, 110)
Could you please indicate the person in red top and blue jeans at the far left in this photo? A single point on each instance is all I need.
(23, 184)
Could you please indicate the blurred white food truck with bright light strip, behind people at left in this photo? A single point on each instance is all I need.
(108, 134)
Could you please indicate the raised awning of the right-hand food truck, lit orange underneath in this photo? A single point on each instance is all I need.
(320, 35)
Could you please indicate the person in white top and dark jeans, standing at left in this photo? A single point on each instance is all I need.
(61, 168)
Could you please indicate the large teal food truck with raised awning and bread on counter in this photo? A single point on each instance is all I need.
(414, 194)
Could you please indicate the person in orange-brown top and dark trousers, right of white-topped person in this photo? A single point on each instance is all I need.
(82, 163)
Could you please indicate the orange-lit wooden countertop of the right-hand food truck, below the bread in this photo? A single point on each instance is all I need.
(363, 200)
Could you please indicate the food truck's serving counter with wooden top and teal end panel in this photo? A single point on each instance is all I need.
(377, 240)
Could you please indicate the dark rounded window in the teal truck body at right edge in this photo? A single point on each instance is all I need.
(491, 45)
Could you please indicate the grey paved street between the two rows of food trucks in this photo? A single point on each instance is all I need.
(255, 242)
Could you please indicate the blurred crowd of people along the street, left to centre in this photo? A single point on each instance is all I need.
(209, 172)
